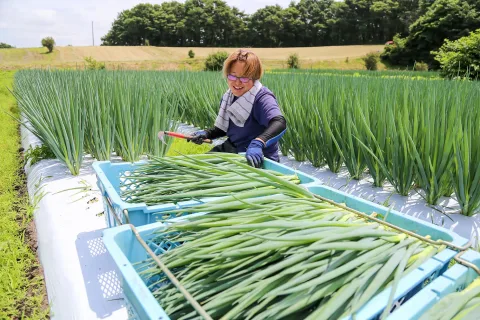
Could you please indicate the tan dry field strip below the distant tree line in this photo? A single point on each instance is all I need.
(71, 55)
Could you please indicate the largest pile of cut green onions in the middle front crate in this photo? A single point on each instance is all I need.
(280, 257)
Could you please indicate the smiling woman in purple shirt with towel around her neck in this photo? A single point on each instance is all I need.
(249, 114)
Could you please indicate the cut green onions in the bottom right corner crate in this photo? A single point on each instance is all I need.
(458, 305)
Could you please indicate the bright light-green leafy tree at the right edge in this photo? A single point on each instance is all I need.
(460, 58)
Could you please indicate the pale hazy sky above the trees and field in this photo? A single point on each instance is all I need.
(23, 23)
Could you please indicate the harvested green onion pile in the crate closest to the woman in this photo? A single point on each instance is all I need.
(173, 179)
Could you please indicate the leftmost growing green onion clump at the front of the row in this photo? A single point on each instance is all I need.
(50, 102)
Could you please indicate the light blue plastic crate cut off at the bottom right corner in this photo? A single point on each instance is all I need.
(454, 279)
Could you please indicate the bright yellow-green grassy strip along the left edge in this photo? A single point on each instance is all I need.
(22, 290)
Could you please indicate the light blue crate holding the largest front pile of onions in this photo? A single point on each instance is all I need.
(126, 251)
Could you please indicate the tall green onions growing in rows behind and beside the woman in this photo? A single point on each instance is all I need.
(409, 132)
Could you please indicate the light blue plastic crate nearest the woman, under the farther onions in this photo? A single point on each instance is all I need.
(109, 178)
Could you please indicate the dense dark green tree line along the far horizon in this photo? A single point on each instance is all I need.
(417, 27)
